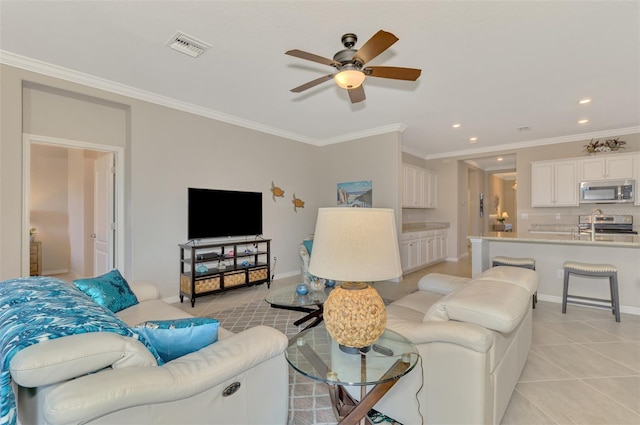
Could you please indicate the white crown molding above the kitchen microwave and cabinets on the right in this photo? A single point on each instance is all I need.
(533, 143)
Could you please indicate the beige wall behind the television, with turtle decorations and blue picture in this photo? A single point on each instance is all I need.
(167, 151)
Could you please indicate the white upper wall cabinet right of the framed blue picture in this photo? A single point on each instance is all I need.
(419, 187)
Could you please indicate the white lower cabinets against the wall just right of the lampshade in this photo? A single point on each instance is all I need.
(420, 249)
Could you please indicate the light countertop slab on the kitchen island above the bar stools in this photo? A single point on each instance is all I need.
(617, 240)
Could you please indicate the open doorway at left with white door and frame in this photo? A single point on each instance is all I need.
(73, 199)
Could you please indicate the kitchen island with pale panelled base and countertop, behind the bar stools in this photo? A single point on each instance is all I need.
(550, 252)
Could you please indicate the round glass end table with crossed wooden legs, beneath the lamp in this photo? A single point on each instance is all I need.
(316, 355)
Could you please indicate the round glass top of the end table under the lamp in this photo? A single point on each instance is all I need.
(316, 355)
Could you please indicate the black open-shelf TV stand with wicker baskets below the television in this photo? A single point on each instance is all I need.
(212, 268)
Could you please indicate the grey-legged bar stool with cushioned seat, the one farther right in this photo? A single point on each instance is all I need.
(592, 270)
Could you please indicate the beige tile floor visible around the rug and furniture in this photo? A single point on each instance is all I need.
(584, 368)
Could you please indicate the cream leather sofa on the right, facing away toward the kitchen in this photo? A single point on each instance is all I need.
(473, 337)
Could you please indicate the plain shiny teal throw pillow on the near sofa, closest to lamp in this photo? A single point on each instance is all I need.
(175, 338)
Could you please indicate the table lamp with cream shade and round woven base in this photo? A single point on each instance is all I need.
(355, 246)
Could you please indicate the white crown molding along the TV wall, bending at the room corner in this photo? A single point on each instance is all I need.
(40, 67)
